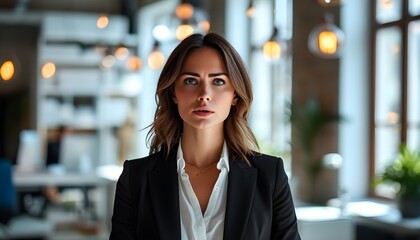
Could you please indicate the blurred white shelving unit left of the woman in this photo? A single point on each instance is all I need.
(83, 96)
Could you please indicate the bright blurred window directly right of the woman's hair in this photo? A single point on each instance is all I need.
(272, 82)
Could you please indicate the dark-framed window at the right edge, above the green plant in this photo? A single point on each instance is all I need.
(395, 83)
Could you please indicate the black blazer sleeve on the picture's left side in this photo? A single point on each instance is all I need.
(124, 213)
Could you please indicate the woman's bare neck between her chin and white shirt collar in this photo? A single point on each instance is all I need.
(202, 147)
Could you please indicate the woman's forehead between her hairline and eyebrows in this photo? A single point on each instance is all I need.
(204, 59)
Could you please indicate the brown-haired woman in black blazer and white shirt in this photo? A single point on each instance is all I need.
(204, 178)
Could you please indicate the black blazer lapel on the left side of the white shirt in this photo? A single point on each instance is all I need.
(163, 183)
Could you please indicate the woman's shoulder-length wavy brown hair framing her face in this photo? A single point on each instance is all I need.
(167, 127)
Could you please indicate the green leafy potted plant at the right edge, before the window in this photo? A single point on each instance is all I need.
(404, 172)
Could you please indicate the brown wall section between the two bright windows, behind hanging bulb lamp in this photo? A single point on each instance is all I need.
(319, 78)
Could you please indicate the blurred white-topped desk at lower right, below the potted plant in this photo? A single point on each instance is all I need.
(364, 220)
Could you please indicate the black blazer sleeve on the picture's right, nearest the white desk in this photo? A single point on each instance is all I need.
(284, 224)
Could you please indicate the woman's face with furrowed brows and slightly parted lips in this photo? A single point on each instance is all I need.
(203, 91)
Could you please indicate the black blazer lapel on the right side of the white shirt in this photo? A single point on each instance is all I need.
(240, 195)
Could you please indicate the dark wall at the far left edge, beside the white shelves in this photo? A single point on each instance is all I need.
(18, 95)
